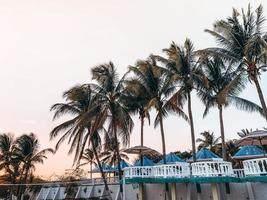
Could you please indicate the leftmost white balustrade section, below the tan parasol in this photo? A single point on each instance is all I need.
(138, 172)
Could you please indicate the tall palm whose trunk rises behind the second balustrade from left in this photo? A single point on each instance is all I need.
(159, 87)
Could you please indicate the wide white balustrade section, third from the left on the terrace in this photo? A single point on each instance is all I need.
(212, 168)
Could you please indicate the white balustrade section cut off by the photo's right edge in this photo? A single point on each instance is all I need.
(255, 166)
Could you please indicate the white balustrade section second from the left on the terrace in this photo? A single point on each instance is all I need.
(178, 170)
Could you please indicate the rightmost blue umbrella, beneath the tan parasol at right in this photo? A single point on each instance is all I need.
(249, 151)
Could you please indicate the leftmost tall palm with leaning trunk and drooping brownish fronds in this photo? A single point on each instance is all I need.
(84, 126)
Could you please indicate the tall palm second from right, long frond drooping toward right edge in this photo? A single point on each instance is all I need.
(225, 84)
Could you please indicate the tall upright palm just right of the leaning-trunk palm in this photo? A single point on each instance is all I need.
(117, 117)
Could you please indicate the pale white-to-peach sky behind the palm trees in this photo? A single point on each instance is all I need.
(48, 46)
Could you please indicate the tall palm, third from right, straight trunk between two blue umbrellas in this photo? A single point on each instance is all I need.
(183, 69)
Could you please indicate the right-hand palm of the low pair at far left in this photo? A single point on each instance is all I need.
(27, 149)
